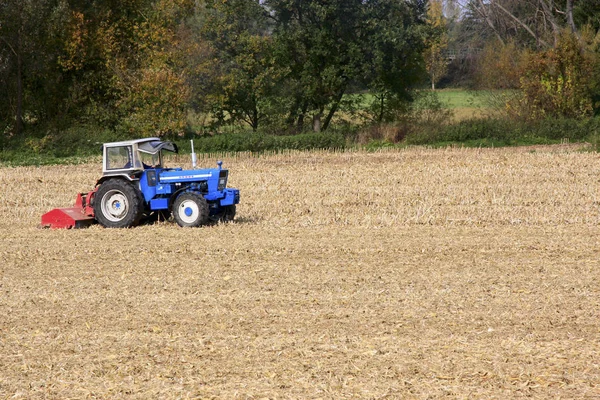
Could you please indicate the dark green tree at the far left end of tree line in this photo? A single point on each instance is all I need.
(29, 76)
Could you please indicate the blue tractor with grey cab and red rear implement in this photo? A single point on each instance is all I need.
(135, 186)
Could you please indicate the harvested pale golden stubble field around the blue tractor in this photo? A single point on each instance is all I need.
(414, 273)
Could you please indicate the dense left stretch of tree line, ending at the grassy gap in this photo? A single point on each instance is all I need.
(141, 66)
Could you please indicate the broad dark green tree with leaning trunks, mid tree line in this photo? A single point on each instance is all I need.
(328, 46)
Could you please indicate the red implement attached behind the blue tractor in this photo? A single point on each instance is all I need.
(81, 215)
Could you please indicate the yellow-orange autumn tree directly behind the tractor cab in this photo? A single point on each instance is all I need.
(154, 93)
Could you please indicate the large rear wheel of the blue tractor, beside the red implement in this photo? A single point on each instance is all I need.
(118, 204)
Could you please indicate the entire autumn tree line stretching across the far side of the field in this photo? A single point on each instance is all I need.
(165, 67)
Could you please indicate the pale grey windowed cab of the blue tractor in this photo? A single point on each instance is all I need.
(130, 157)
